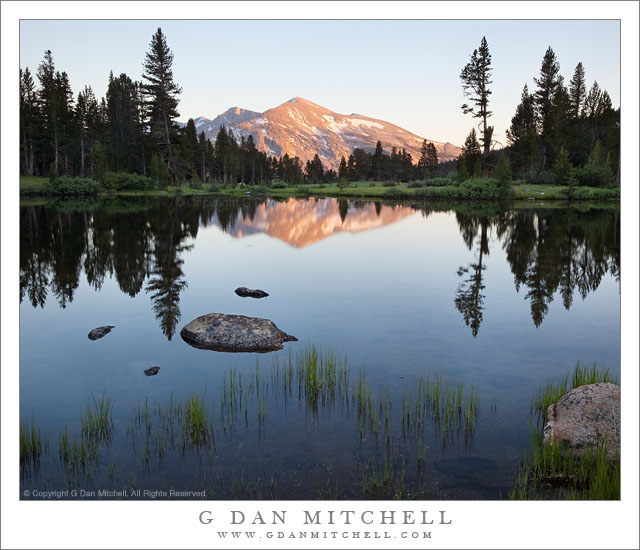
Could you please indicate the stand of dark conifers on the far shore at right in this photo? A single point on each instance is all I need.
(559, 134)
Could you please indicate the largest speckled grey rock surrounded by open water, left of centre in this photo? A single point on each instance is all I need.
(220, 332)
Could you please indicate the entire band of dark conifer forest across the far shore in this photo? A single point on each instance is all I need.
(131, 139)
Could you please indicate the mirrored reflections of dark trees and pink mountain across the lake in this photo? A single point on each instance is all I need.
(143, 243)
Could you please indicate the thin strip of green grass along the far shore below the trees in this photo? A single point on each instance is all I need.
(38, 186)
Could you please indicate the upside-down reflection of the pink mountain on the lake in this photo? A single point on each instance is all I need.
(301, 223)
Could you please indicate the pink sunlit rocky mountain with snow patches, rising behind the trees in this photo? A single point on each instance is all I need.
(302, 128)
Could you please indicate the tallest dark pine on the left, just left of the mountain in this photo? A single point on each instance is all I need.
(162, 102)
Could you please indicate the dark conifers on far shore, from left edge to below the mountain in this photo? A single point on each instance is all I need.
(133, 130)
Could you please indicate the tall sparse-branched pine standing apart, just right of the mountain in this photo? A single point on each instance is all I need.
(476, 77)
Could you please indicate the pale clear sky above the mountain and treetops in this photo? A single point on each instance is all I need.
(404, 72)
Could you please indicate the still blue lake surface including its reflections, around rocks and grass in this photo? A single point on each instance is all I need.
(500, 300)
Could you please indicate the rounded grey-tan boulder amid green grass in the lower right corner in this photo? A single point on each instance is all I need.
(584, 416)
